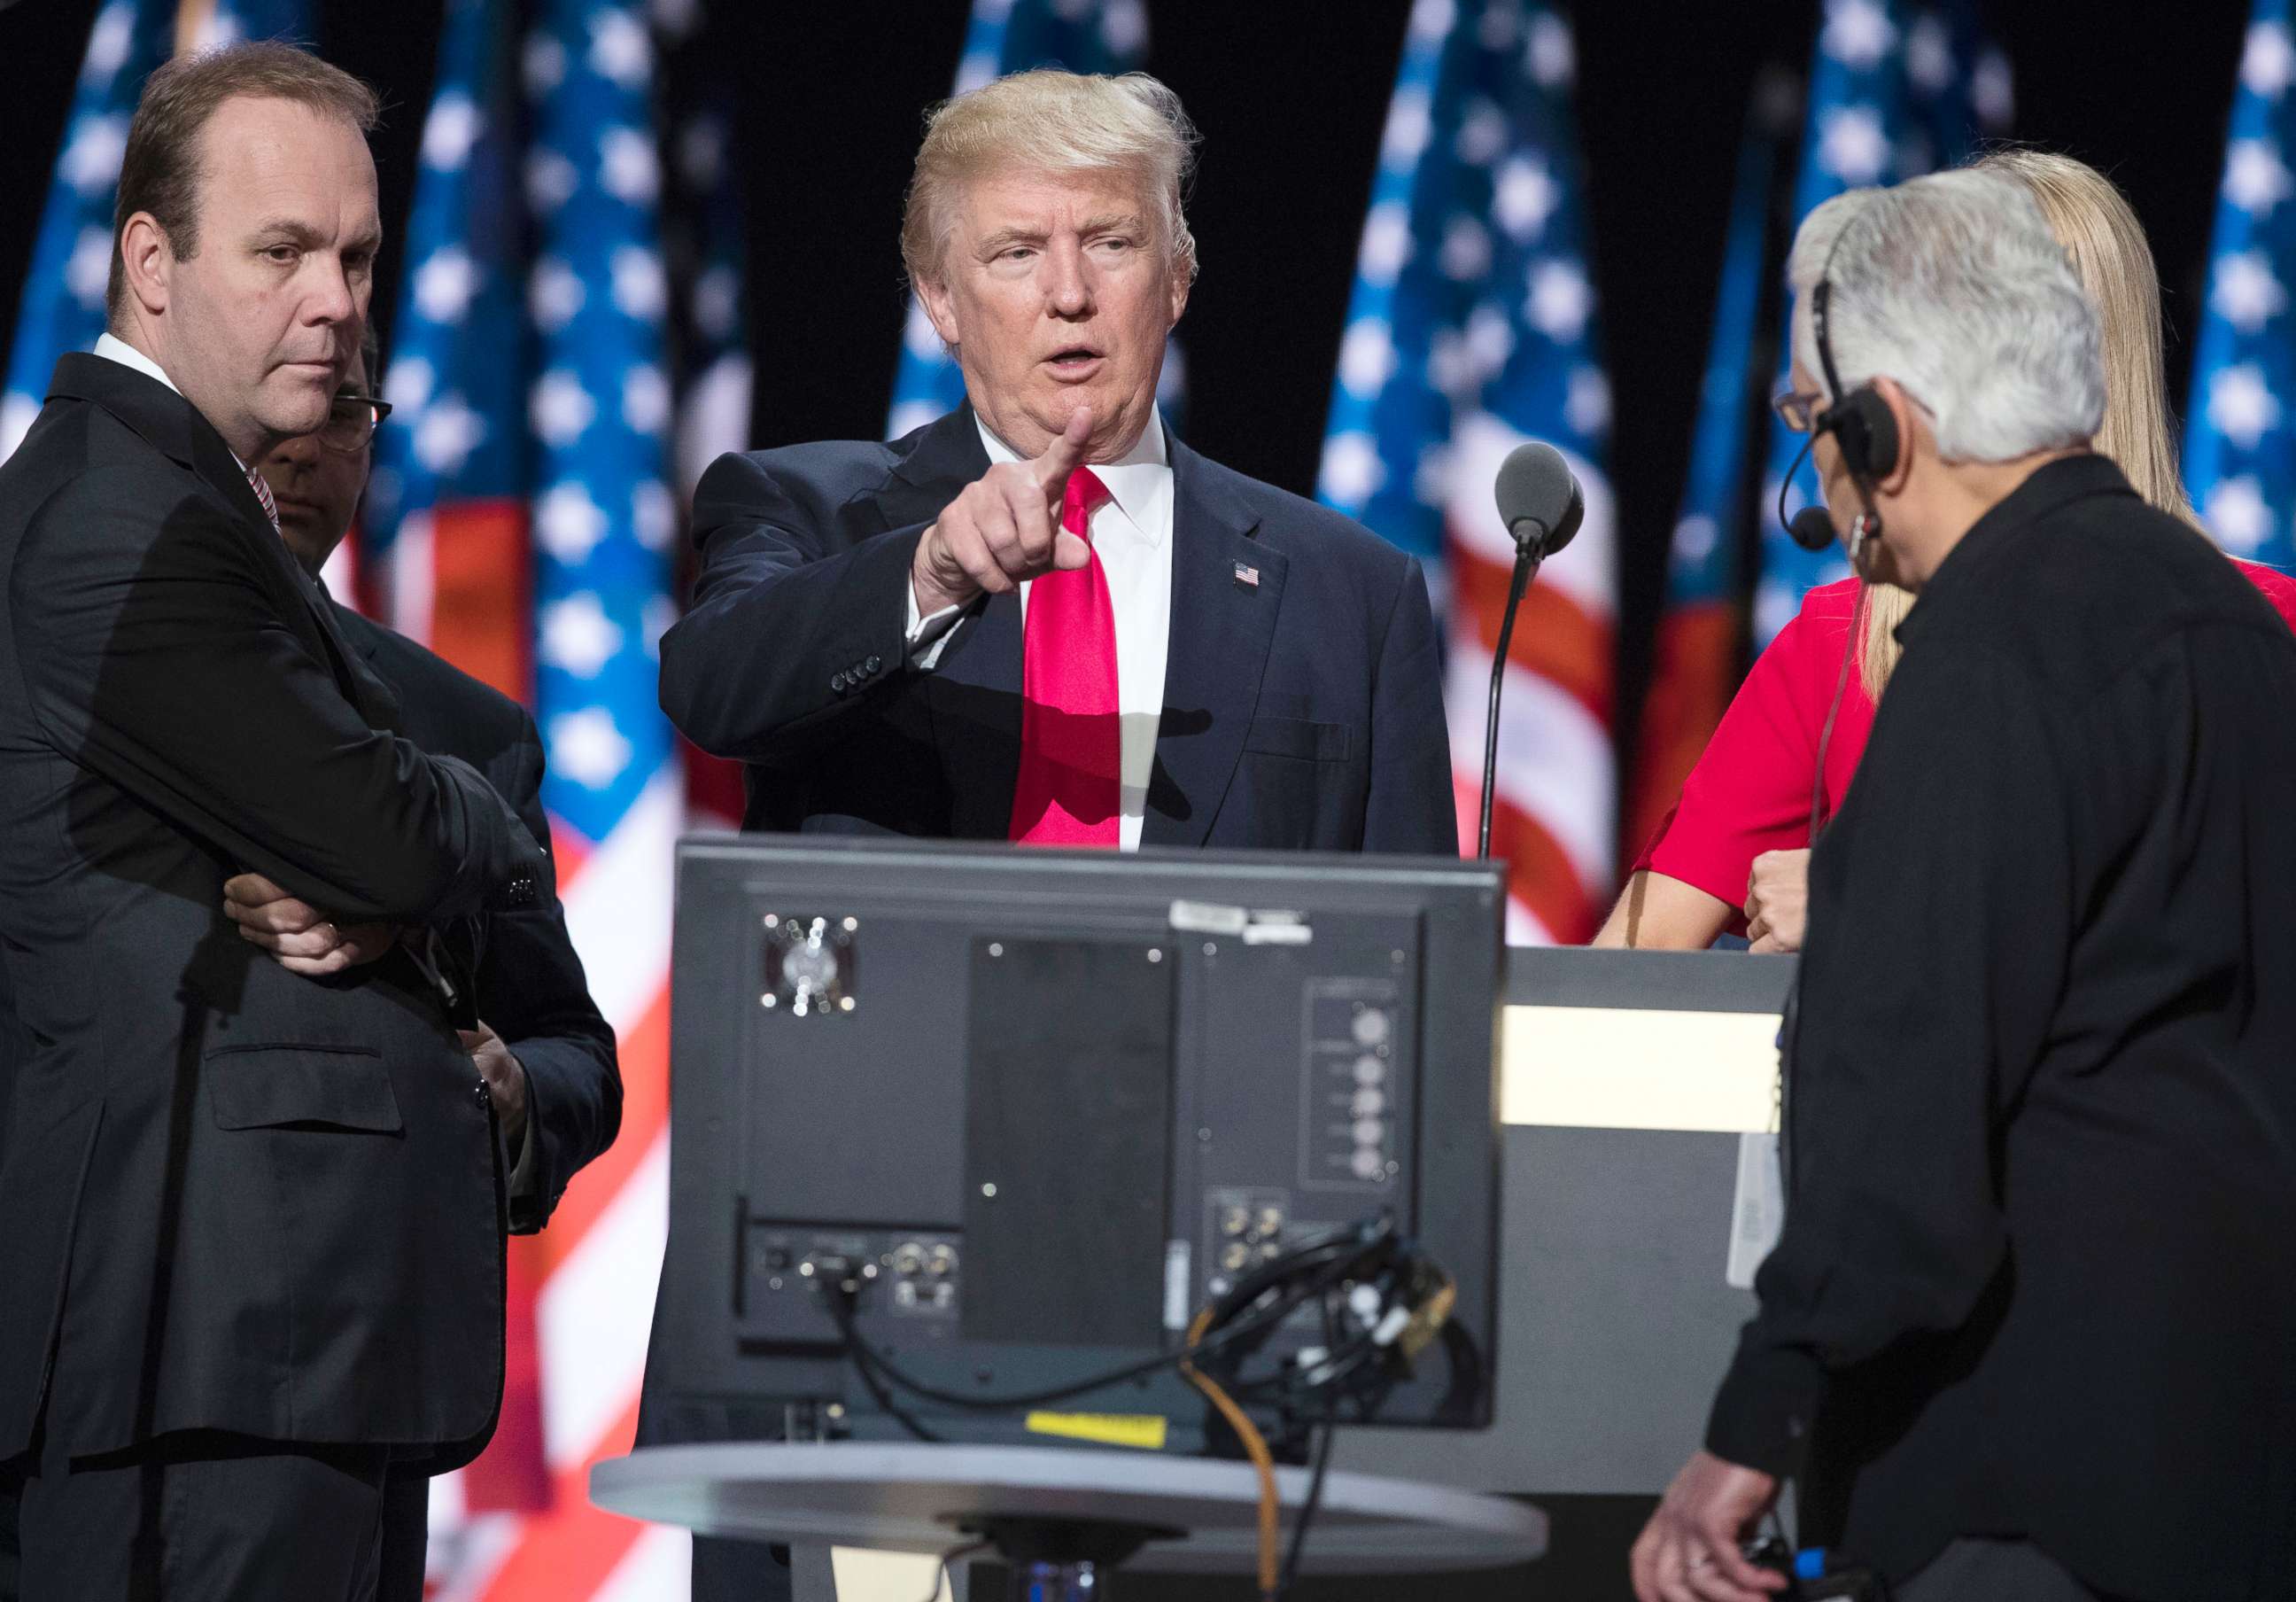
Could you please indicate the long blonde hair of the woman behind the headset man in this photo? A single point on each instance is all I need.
(2107, 242)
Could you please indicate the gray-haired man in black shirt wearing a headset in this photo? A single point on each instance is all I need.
(2029, 1328)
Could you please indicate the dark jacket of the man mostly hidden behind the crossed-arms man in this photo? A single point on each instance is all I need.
(527, 977)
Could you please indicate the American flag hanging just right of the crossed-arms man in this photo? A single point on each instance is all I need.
(522, 524)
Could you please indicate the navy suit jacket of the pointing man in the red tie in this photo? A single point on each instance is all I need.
(1303, 694)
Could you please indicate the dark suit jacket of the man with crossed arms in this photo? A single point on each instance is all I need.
(233, 1197)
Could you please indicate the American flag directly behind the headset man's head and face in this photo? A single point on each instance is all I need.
(1895, 93)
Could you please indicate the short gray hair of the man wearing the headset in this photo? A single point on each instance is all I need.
(1955, 288)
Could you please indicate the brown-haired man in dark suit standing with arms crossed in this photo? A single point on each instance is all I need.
(254, 1245)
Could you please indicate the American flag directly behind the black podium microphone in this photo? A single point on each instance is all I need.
(1471, 332)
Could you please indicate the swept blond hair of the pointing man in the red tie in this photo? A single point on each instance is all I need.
(1050, 123)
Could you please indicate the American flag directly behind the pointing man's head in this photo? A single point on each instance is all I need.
(1007, 38)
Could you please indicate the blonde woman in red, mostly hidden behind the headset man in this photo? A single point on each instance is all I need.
(1735, 855)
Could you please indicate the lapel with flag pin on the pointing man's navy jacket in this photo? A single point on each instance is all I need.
(1225, 598)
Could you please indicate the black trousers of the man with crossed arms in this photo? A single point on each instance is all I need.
(208, 1516)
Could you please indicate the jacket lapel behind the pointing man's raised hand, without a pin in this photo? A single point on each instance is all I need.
(975, 687)
